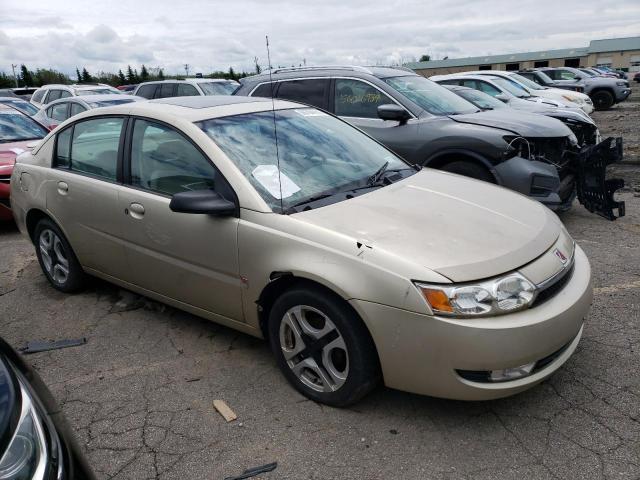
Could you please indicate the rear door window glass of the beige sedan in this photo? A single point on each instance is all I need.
(94, 148)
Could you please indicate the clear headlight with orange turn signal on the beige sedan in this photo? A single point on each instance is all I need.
(494, 297)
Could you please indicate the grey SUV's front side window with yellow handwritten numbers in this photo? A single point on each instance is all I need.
(354, 98)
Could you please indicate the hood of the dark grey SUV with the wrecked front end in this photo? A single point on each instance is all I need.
(519, 123)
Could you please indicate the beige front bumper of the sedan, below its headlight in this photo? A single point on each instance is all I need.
(422, 354)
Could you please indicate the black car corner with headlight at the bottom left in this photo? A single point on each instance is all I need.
(35, 441)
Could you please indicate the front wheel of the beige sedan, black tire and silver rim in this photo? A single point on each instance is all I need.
(322, 347)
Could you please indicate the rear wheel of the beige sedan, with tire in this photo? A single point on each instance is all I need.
(57, 260)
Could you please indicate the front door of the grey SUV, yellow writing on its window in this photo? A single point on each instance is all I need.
(357, 102)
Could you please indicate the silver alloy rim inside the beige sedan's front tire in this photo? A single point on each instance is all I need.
(314, 349)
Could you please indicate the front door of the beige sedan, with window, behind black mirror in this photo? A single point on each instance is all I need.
(191, 258)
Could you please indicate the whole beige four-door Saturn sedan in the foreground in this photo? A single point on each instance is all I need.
(284, 222)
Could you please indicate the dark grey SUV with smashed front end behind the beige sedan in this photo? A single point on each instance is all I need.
(430, 126)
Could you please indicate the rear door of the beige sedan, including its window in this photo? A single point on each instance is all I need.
(82, 192)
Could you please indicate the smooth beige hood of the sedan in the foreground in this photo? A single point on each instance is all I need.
(458, 227)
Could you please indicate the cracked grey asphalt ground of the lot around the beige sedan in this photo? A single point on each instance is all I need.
(139, 393)
